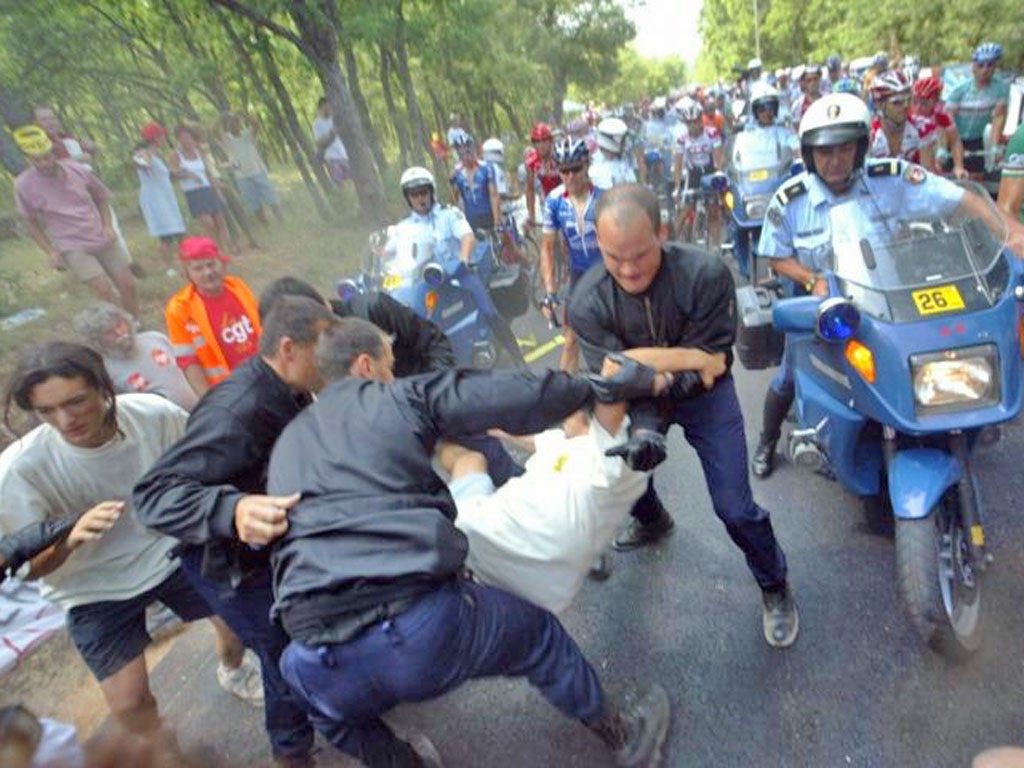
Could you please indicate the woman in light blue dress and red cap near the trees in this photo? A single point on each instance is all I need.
(156, 193)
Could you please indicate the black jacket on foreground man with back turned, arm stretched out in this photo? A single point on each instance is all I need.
(375, 524)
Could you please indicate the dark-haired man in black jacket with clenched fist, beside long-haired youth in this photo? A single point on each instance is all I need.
(209, 491)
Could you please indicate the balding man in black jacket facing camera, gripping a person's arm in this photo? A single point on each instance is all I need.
(674, 308)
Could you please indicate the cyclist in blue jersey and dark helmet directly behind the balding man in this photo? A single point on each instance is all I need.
(569, 211)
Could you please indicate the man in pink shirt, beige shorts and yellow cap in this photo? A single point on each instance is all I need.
(68, 214)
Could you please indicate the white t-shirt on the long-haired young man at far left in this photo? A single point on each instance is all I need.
(49, 478)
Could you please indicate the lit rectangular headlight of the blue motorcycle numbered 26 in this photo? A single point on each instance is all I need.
(956, 379)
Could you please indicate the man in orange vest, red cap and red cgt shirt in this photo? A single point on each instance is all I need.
(214, 322)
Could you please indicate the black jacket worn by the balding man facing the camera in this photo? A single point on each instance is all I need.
(691, 304)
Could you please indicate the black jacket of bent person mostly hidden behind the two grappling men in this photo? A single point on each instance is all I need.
(420, 347)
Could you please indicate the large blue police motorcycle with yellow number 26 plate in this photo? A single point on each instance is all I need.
(915, 352)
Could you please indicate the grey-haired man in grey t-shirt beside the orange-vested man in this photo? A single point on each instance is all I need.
(137, 363)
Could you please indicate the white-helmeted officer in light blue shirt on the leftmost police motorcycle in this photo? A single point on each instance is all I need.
(447, 231)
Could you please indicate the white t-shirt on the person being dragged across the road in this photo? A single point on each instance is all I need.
(539, 534)
